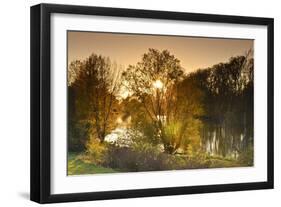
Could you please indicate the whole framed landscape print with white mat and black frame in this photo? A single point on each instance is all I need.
(133, 103)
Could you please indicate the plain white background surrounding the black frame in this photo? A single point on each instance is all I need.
(14, 101)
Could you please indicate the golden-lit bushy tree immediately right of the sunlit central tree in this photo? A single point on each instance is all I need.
(187, 108)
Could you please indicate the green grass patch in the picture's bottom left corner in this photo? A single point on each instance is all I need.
(76, 166)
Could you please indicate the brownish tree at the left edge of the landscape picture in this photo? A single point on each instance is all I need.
(94, 83)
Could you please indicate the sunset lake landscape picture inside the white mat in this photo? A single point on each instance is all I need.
(149, 102)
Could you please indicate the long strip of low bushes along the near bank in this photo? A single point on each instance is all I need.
(140, 155)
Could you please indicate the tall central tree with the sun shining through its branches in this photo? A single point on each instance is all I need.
(153, 81)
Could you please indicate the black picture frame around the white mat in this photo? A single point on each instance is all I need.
(41, 96)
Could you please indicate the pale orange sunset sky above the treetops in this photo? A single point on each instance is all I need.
(125, 49)
